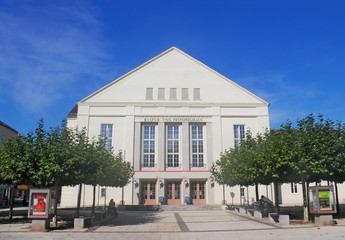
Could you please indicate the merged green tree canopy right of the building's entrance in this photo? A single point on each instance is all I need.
(311, 150)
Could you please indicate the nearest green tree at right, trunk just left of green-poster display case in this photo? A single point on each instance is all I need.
(319, 153)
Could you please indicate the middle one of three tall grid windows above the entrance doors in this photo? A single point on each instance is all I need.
(173, 145)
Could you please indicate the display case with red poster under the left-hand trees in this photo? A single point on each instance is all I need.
(41, 203)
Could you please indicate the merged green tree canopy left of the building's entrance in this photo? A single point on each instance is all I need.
(61, 156)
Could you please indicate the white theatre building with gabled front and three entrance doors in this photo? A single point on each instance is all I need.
(172, 117)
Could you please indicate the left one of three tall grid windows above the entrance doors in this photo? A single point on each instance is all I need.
(149, 146)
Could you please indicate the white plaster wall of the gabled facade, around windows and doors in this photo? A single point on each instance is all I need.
(123, 103)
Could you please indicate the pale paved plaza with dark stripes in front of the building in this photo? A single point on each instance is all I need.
(180, 225)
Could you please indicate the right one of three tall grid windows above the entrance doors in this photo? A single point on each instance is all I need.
(197, 145)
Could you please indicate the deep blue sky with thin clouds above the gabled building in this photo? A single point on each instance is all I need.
(54, 53)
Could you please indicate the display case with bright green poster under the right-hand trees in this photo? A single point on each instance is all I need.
(322, 200)
